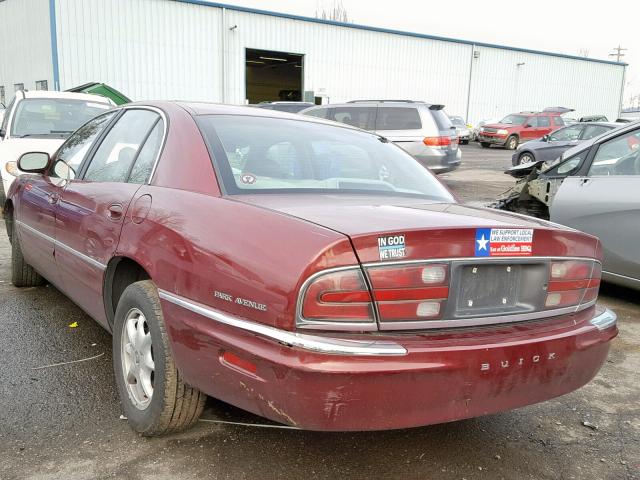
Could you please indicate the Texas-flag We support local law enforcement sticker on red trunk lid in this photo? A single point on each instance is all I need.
(504, 242)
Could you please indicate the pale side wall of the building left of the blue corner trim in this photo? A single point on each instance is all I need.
(25, 48)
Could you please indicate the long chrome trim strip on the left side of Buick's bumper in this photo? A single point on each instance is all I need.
(314, 343)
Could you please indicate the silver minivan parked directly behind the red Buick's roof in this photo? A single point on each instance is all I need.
(421, 129)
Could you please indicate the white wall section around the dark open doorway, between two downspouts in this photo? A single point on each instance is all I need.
(350, 63)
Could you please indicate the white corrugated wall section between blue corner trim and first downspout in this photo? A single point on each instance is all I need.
(148, 49)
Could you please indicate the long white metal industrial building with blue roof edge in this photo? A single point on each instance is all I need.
(198, 50)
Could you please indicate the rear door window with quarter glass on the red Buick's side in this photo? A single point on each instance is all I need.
(114, 157)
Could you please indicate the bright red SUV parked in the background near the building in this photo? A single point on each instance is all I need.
(519, 127)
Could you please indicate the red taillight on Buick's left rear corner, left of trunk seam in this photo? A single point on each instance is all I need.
(336, 298)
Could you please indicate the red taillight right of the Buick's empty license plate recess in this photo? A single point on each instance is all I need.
(573, 283)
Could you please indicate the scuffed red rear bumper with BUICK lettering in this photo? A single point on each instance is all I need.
(418, 380)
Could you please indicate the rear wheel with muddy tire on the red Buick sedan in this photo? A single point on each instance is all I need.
(166, 404)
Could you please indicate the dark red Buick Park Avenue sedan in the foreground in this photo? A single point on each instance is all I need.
(305, 271)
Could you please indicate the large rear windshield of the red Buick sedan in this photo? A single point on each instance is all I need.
(272, 155)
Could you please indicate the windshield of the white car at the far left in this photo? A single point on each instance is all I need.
(53, 117)
